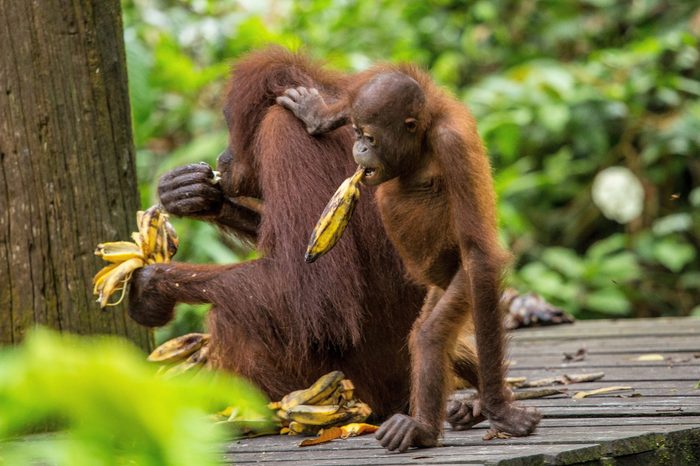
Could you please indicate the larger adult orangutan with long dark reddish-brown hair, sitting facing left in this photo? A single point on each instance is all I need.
(277, 320)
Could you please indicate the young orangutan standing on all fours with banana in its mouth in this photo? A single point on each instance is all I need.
(436, 199)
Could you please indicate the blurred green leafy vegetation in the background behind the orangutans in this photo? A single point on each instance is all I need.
(561, 90)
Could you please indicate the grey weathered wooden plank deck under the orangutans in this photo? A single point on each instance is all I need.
(657, 423)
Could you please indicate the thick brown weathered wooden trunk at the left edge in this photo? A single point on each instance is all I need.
(67, 171)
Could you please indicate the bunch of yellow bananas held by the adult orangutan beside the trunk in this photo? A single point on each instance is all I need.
(155, 241)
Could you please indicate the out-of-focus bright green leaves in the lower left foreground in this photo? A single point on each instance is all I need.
(105, 406)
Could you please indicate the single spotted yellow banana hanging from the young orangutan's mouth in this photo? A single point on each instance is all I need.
(335, 217)
